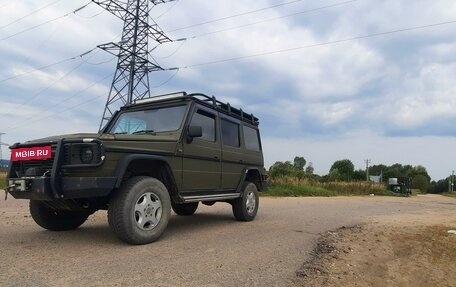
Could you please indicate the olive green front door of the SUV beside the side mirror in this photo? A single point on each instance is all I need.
(202, 155)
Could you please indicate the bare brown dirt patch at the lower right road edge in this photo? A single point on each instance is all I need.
(416, 254)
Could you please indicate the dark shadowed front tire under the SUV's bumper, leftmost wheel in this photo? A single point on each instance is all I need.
(54, 219)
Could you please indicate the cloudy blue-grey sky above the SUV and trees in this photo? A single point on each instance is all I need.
(329, 79)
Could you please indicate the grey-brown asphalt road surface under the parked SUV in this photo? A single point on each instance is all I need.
(209, 248)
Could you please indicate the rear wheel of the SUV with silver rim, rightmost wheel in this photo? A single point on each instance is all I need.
(245, 208)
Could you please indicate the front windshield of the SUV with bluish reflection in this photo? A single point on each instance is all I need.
(149, 121)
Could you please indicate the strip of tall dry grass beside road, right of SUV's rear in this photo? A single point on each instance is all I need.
(287, 186)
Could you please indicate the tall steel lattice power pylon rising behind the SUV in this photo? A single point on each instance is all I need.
(131, 79)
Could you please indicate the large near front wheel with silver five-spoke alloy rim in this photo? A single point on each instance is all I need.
(139, 211)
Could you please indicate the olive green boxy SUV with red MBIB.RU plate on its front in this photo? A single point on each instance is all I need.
(161, 153)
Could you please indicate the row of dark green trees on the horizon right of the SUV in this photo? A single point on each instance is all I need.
(344, 170)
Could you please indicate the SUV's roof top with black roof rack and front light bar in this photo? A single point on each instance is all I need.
(200, 98)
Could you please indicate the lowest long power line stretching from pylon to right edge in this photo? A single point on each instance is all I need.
(317, 44)
